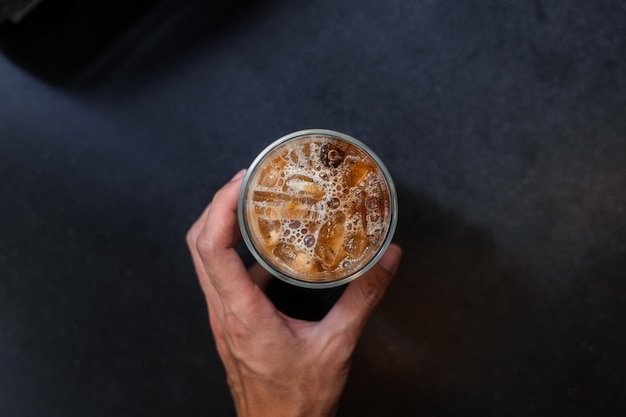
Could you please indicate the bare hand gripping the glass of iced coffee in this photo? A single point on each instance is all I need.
(276, 365)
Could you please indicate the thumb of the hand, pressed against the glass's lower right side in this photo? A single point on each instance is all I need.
(362, 295)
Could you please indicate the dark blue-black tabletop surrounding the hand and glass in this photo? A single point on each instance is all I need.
(503, 124)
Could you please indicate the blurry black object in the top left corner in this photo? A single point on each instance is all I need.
(77, 43)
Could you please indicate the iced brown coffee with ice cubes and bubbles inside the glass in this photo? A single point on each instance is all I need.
(317, 208)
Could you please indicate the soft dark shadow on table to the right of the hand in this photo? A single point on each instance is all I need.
(446, 324)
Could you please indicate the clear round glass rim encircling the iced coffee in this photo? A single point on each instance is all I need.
(312, 284)
